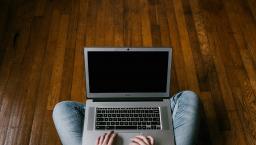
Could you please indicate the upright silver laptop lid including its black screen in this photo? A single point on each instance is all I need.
(127, 72)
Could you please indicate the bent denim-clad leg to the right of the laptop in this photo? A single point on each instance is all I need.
(185, 114)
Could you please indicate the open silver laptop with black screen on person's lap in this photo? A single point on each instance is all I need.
(128, 91)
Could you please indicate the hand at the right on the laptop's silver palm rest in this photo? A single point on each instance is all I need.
(142, 140)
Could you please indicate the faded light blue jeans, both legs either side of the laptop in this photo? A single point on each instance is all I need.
(68, 118)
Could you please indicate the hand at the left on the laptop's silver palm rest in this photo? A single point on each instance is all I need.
(106, 139)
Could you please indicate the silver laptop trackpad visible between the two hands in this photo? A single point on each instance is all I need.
(125, 138)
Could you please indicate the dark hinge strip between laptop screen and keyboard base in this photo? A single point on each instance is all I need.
(128, 99)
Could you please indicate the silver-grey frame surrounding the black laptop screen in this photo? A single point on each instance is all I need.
(89, 94)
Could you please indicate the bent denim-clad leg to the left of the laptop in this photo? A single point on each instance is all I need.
(68, 118)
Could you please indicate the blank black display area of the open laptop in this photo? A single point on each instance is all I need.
(121, 72)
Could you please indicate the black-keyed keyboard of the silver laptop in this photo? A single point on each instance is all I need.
(128, 118)
